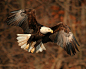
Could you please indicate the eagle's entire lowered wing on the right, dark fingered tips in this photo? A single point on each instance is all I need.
(64, 38)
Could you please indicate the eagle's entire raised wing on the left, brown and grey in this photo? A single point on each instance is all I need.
(26, 19)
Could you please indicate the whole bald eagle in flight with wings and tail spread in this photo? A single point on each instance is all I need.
(35, 34)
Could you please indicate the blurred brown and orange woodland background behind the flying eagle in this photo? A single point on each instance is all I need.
(49, 13)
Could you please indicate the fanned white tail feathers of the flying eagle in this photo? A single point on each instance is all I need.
(22, 41)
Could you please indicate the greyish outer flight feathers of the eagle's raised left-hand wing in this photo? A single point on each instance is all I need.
(18, 18)
